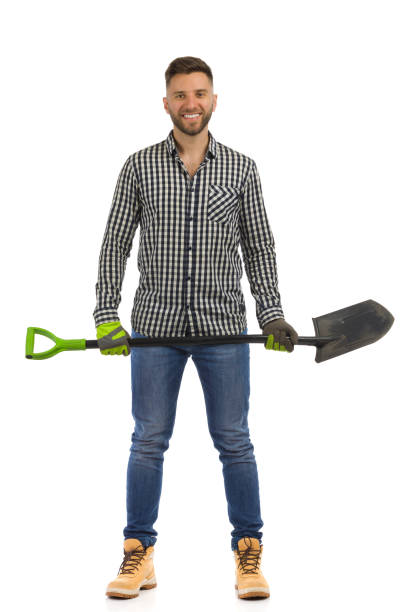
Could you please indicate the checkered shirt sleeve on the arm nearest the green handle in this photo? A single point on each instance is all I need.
(123, 220)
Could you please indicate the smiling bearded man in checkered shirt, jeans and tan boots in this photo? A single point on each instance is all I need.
(196, 201)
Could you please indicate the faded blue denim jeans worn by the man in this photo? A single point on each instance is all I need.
(156, 377)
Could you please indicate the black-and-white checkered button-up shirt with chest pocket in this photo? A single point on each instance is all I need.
(190, 231)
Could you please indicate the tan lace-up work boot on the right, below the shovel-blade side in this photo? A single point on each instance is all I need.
(249, 578)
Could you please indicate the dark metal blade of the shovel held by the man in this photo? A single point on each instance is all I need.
(352, 328)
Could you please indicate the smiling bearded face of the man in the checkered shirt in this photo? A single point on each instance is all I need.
(190, 94)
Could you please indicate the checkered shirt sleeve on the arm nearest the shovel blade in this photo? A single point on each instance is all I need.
(258, 250)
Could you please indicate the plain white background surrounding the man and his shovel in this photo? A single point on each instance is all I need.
(316, 93)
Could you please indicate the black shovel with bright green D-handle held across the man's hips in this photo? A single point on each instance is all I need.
(337, 333)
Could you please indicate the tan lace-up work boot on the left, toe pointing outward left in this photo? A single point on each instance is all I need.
(136, 571)
